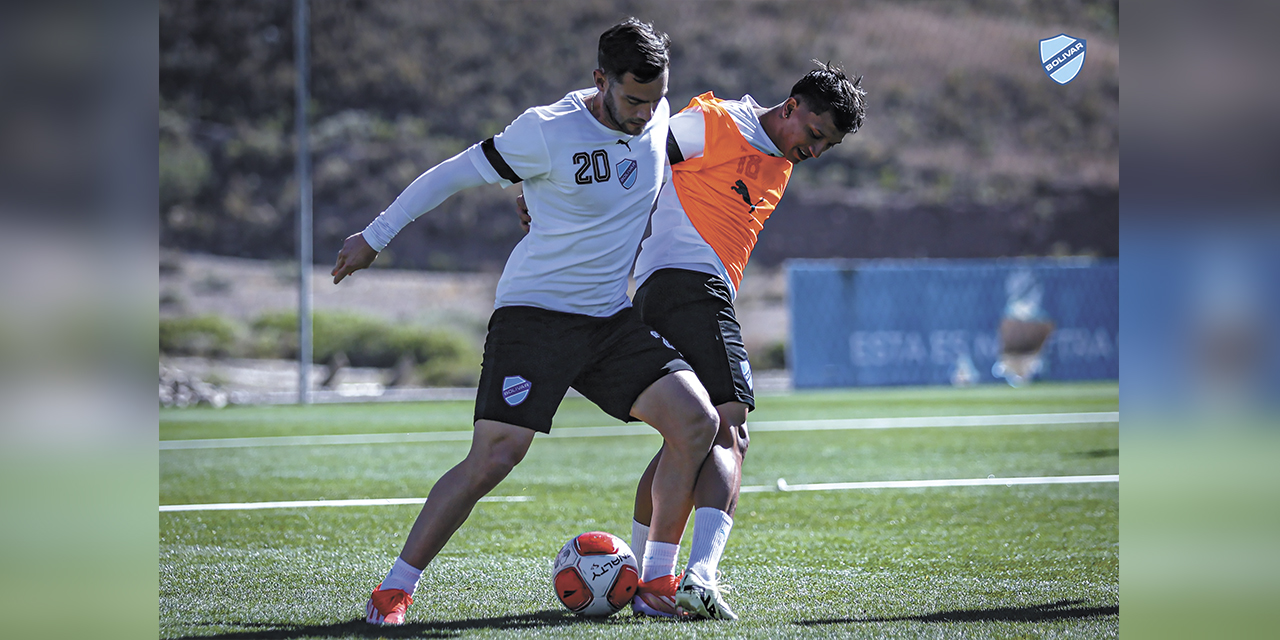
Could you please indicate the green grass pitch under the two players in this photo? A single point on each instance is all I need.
(1035, 561)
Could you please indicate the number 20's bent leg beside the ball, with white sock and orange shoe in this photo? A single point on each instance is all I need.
(676, 405)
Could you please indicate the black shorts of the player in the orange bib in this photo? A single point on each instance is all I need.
(696, 313)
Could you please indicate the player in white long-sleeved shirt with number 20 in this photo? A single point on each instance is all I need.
(592, 166)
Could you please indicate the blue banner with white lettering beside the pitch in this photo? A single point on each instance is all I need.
(926, 322)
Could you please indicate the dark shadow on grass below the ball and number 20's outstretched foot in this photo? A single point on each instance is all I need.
(359, 629)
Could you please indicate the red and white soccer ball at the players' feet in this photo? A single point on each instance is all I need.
(596, 574)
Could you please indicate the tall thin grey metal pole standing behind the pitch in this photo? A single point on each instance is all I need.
(301, 29)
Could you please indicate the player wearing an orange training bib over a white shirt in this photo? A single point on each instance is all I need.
(730, 162)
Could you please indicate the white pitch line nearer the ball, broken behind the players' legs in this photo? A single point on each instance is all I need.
(781, 487)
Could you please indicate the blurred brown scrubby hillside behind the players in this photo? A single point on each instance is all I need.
(970, 149)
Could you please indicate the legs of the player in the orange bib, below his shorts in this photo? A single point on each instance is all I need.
(716, 499)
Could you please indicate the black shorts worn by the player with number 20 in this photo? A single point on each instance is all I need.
(533, 356)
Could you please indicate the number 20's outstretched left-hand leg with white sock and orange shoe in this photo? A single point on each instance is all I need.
(496, 450)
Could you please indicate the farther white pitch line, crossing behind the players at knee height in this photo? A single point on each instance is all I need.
(641, 429)
